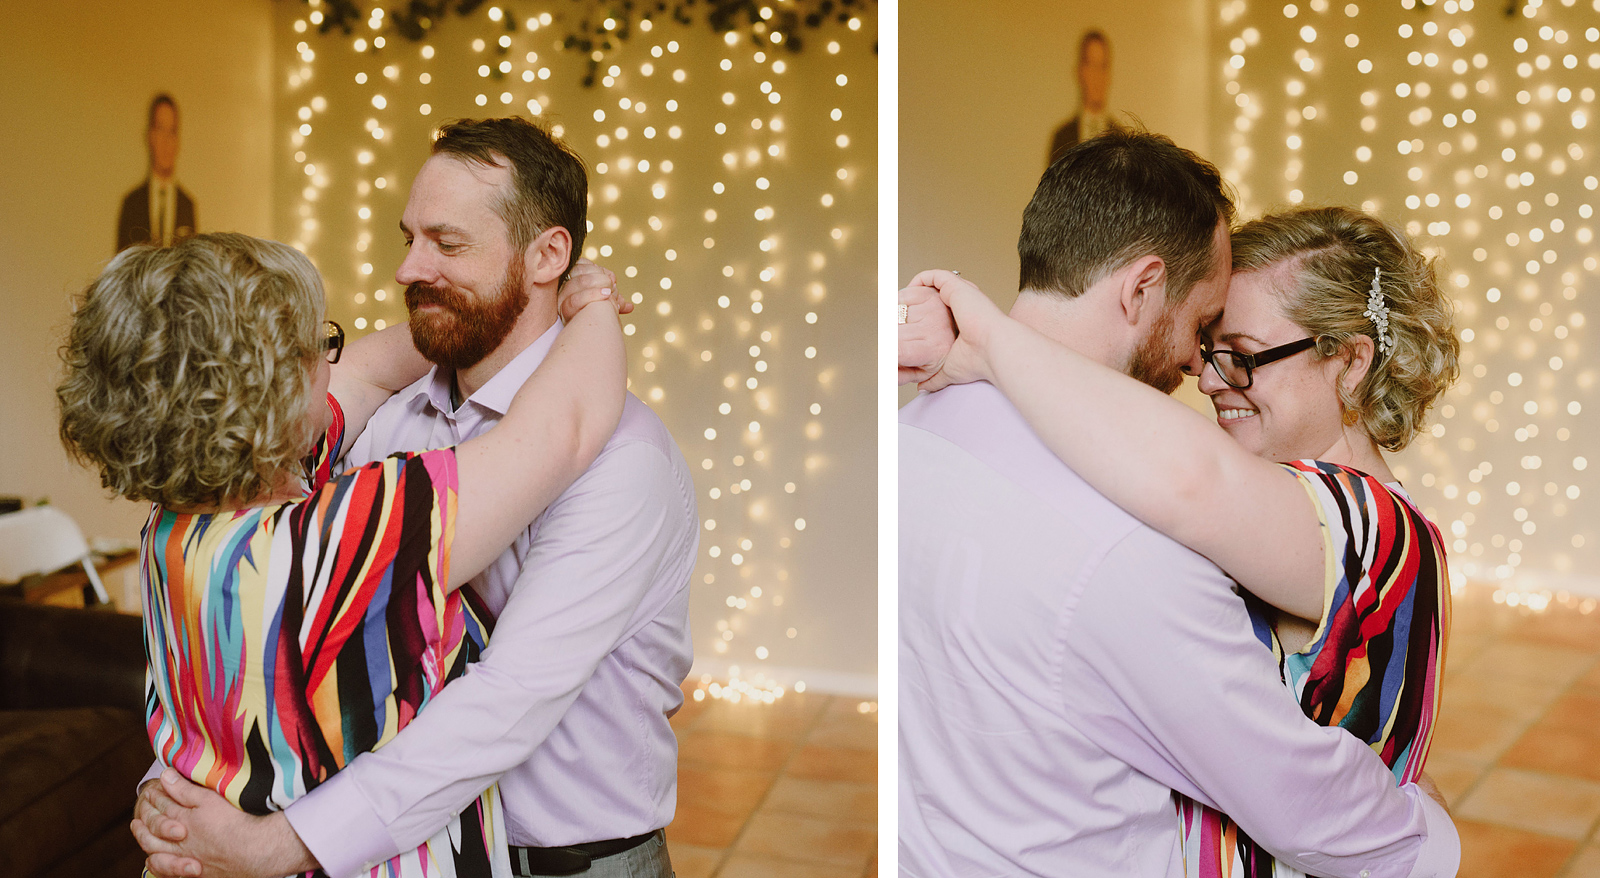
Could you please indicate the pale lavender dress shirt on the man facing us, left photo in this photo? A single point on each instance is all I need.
(569, 708)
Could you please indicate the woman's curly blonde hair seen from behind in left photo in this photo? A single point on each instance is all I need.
(188, 370)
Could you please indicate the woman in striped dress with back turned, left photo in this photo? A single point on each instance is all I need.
(298, 617)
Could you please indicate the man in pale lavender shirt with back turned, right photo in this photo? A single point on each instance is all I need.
(1063, 668)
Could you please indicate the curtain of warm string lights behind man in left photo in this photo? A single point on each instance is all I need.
(697, 202)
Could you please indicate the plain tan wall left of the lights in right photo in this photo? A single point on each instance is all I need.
(985, 87)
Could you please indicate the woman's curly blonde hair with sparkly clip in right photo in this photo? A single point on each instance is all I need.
(1334, 255)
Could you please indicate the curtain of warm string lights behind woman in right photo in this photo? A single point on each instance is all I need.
(1471, 130)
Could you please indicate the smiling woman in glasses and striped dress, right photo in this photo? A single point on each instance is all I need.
(1334, 345)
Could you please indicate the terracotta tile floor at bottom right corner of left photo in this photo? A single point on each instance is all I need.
(777, 791)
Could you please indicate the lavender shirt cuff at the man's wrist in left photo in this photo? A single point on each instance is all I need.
(340, 828)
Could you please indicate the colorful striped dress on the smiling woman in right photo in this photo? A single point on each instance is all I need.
(1377, 661)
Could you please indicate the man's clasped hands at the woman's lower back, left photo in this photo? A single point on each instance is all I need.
(190, 831)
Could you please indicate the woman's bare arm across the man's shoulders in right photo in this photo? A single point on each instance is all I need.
(1151, 455)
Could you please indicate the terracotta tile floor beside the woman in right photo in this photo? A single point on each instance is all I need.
(1518, 746)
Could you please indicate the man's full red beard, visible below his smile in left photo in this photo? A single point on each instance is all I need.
(465, 332)
